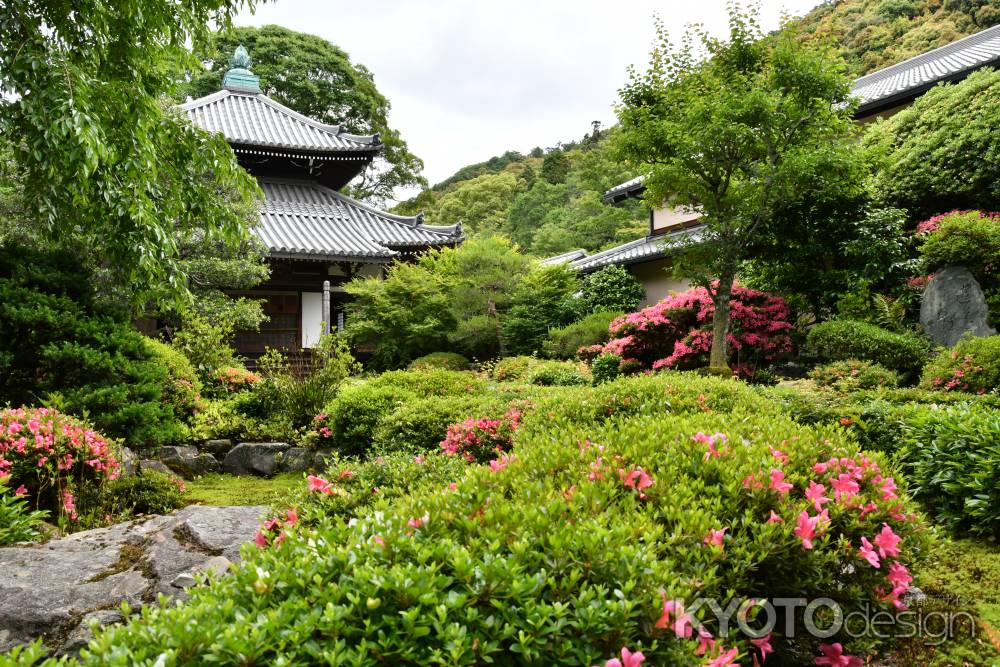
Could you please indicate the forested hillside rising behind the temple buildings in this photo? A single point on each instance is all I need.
(549, 201)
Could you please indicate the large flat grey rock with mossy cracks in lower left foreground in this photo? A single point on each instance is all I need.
(50, 590)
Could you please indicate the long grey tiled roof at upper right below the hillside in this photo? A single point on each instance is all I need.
(904, 81)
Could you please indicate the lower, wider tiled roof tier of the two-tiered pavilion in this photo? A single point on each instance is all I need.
(305, 220)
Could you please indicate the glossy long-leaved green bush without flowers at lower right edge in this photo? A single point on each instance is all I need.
(952, 460)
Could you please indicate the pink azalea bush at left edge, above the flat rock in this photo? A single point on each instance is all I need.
(49, 456)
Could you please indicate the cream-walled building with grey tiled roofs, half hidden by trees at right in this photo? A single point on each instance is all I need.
(879, 94)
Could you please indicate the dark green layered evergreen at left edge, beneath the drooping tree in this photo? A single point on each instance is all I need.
(58, 346)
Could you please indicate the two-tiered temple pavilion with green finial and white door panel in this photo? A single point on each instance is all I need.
(314, 234)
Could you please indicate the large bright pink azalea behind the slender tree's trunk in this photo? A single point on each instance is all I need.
(677, 332)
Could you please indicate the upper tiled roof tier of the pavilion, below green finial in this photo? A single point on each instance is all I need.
(248, 119)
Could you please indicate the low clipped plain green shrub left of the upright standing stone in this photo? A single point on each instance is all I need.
(838, 340)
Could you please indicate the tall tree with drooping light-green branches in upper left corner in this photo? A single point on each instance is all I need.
(104, 157)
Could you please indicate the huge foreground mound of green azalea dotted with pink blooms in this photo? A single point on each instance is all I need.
(583, 541)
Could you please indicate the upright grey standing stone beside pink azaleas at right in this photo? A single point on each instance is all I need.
(953, 305)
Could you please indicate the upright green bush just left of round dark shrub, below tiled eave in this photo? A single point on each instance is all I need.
(542, 301)
